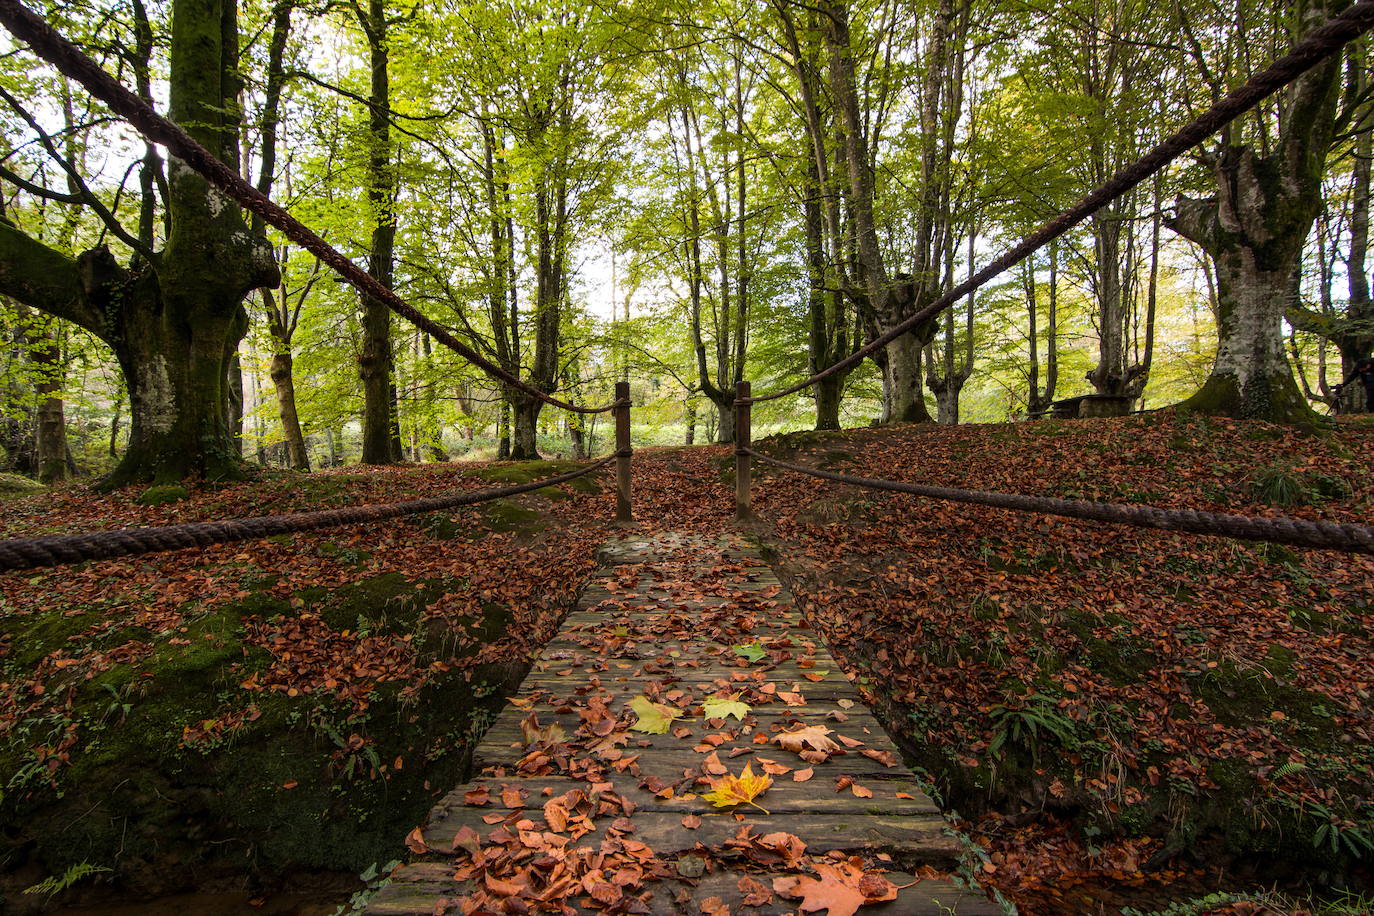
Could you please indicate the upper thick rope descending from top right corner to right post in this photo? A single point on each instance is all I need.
(1320, 45)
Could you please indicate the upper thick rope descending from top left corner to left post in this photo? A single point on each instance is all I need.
(50, 46)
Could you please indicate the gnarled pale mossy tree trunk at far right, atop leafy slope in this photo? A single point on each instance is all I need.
(1254, 229)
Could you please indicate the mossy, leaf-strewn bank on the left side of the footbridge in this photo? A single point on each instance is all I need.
(241, 715)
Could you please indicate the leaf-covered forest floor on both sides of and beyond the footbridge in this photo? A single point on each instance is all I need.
(1125, 720)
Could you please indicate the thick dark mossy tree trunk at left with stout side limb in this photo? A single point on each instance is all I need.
(175, 321)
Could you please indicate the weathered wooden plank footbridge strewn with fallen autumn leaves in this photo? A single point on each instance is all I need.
(576, 811)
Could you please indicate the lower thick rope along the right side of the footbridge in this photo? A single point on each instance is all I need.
(1328, 536)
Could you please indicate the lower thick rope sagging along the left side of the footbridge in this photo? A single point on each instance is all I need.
(28, 553)
